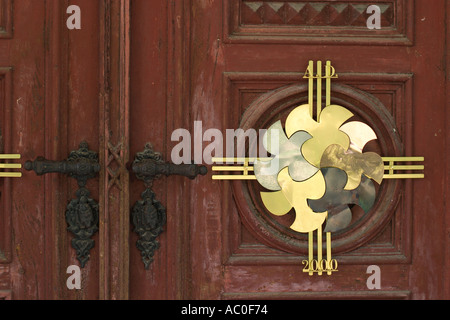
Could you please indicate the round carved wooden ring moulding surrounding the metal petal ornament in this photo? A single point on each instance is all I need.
(274, 231)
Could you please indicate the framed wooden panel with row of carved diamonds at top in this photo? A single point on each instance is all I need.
(318, 21)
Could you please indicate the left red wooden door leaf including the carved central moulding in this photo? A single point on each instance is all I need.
(60, 88)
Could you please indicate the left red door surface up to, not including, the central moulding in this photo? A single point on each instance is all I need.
(49, 105)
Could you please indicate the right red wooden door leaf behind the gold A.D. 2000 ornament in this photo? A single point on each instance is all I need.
(240, 64)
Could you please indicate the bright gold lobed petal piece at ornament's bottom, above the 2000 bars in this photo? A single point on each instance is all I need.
(297, 194)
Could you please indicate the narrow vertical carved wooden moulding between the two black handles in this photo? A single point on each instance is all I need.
(114, 107)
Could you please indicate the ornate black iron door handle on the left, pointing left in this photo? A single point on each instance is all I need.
(82, 212)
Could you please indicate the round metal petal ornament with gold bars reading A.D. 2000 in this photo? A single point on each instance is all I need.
(320, 169)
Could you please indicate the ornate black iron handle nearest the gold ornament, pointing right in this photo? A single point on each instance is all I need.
(149, 215)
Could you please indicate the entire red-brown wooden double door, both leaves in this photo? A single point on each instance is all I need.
(138, 70)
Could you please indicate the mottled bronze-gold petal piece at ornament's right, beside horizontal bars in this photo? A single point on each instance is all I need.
(354, 164)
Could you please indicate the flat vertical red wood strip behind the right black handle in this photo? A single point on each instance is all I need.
(149, 111)
